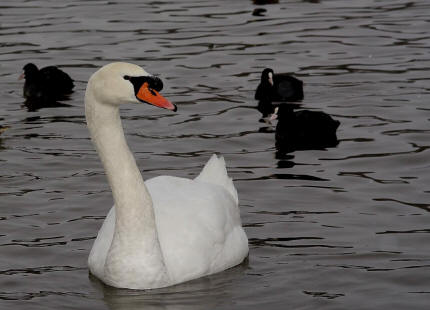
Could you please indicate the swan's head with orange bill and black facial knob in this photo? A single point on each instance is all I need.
(120, 83)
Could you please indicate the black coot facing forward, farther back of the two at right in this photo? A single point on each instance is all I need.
(279, 87)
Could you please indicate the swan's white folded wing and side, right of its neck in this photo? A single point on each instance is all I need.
(198, 225)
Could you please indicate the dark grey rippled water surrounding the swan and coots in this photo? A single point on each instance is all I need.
(342, 228)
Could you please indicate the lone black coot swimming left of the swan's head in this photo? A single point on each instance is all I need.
(47, 84)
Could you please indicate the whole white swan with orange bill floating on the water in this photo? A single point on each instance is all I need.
(167, 230)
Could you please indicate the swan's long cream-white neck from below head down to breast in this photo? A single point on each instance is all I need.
(135, 240)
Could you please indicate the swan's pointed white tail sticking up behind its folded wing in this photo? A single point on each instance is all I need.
(215, 172)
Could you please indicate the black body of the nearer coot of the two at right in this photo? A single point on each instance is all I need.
(304, 130)
